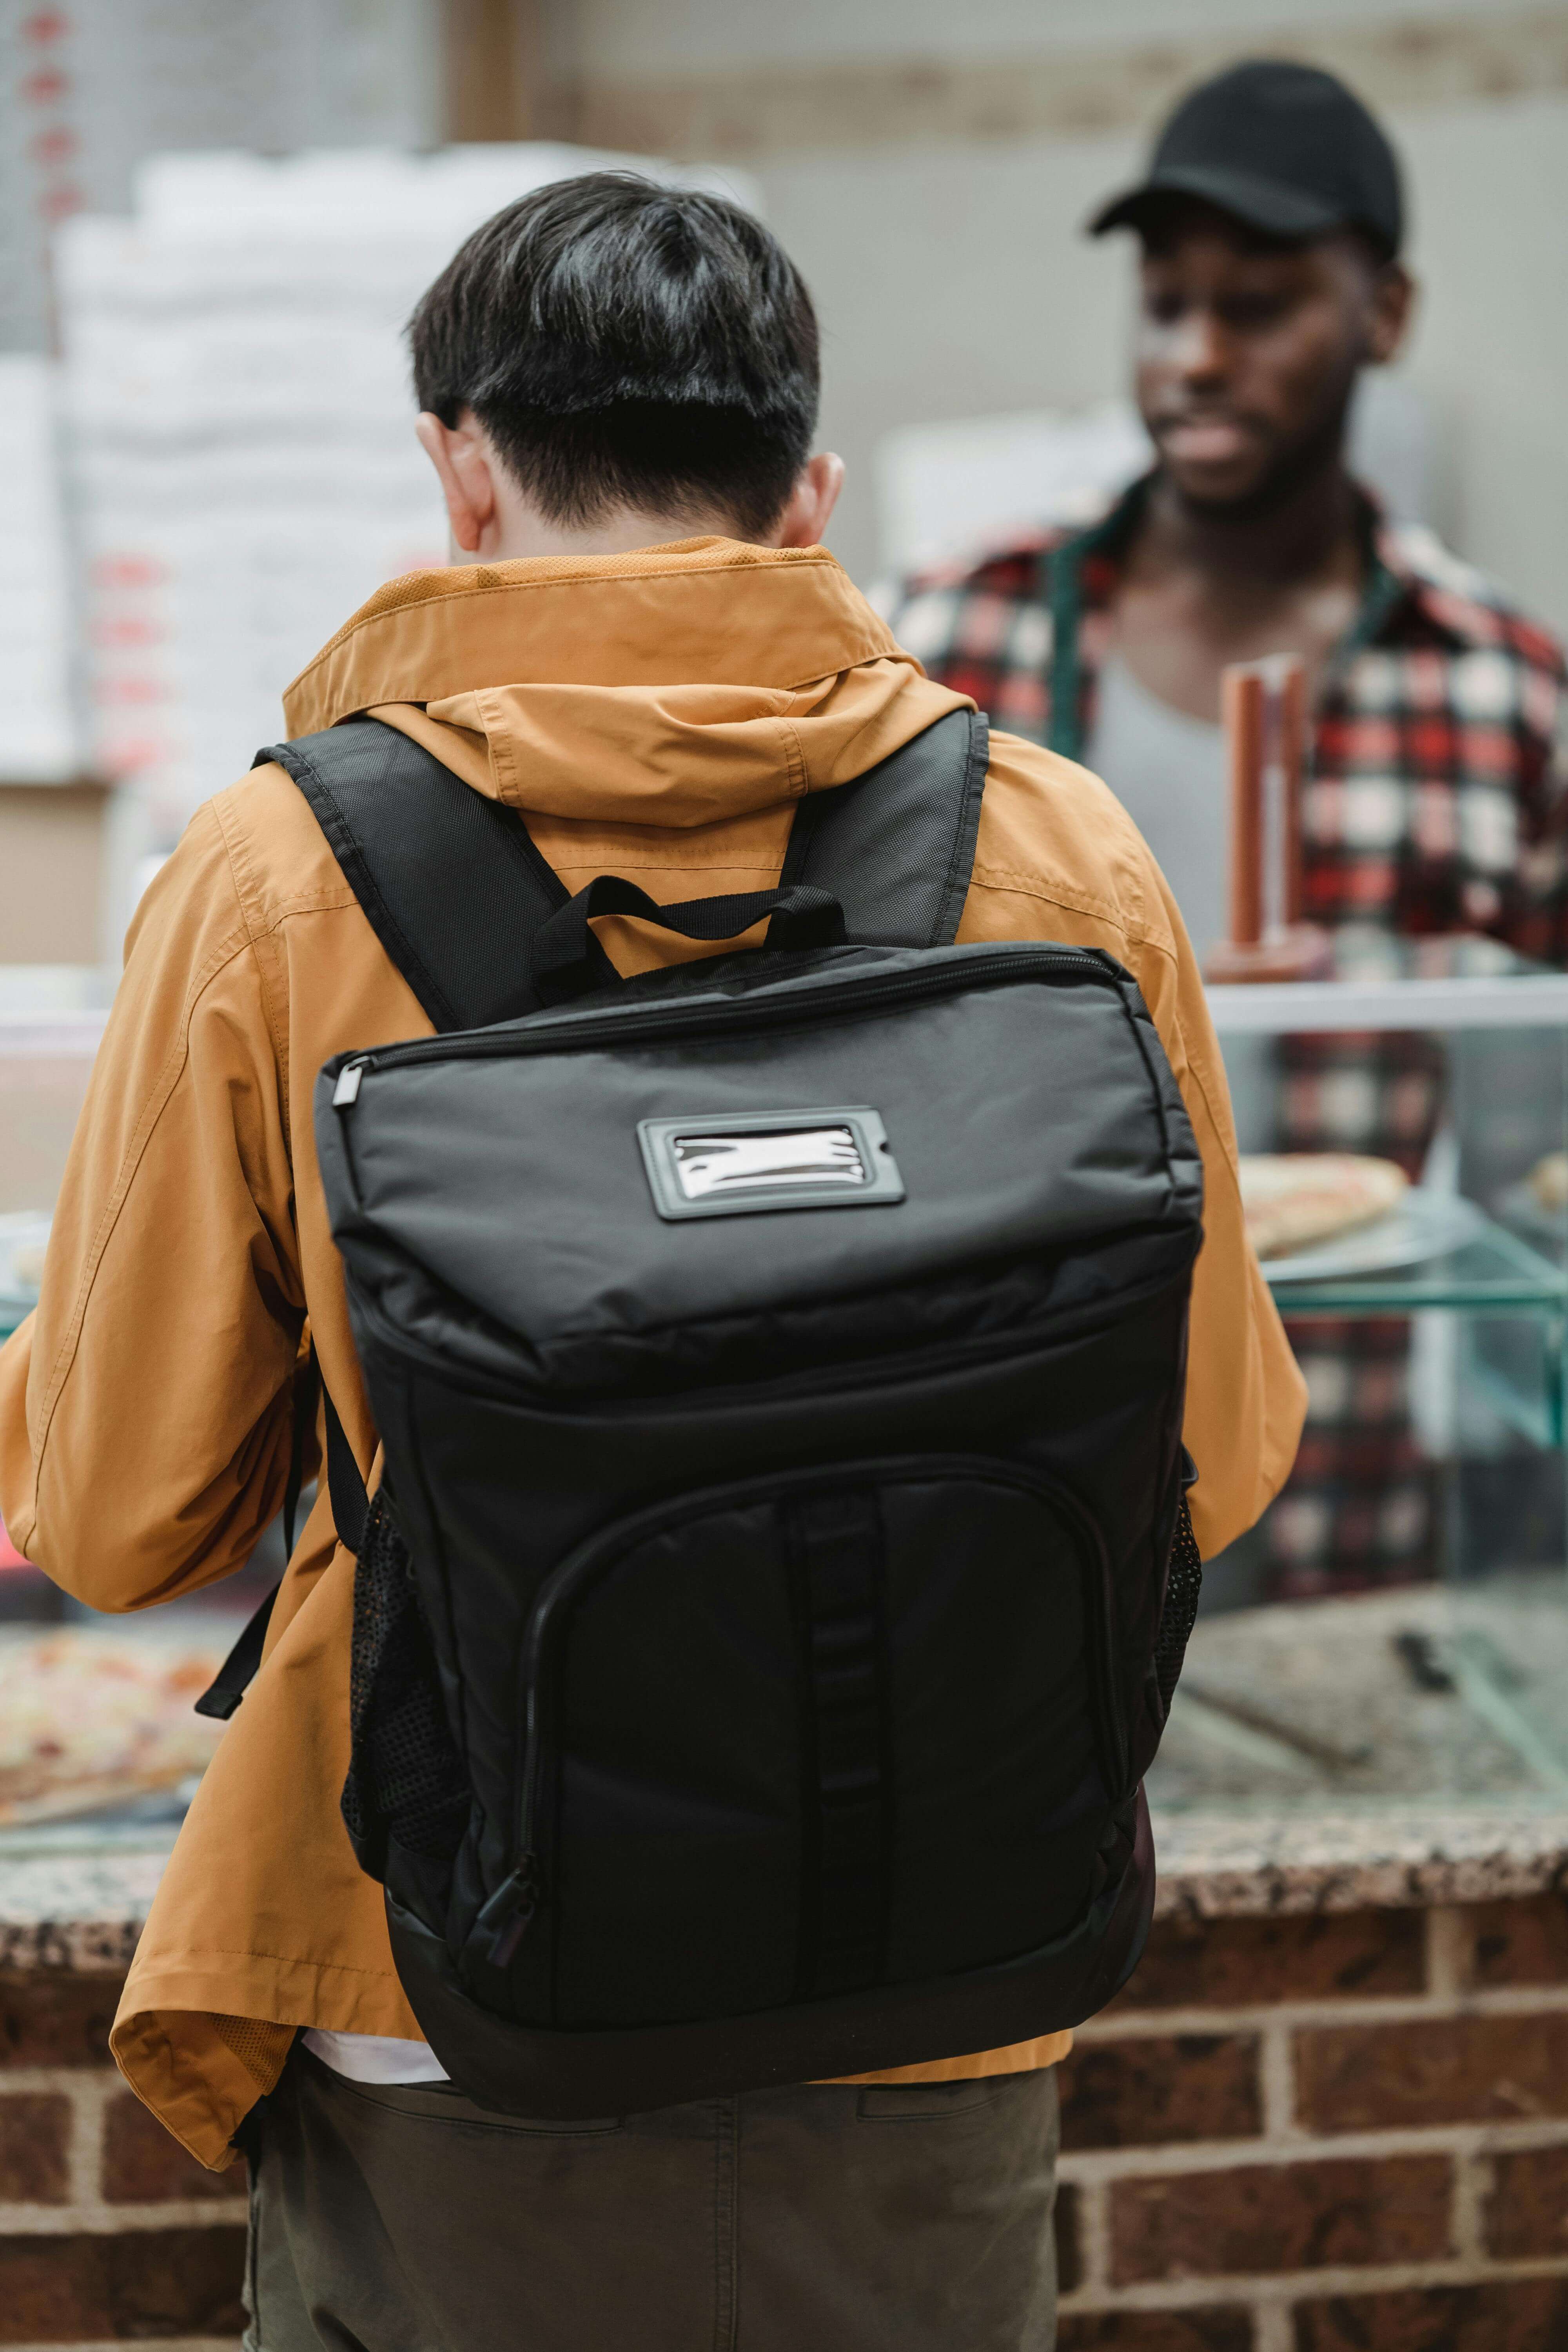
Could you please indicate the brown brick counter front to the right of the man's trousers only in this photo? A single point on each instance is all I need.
(1329, 2134)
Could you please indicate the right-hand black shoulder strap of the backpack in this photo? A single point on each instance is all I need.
(897, 846)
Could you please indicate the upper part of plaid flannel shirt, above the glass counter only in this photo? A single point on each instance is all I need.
(1438, 791)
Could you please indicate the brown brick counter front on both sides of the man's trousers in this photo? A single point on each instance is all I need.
(1308, 2134)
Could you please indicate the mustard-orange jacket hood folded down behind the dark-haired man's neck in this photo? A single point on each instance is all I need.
(671, 688)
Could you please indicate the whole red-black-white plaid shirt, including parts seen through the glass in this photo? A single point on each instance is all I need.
(1435, 801)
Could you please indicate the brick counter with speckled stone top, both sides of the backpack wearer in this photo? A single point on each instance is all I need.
(1327, 2116)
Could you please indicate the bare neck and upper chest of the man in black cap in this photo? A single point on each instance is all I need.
(1304, 537)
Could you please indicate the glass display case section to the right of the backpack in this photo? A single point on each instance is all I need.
(1428, 1511)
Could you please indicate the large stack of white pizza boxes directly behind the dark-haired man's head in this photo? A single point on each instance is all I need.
(243, 465)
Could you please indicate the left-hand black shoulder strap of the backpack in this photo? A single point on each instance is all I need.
(450, 881)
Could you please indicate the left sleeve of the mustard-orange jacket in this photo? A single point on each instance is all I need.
(147, 1405)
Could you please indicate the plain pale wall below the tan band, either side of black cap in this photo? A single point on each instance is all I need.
(956, 283)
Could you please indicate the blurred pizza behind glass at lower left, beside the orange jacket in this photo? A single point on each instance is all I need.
(93, 1720)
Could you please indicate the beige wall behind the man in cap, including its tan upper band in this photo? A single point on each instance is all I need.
(930, 168)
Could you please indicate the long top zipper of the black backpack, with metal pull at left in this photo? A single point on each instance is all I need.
(746, 1010)
